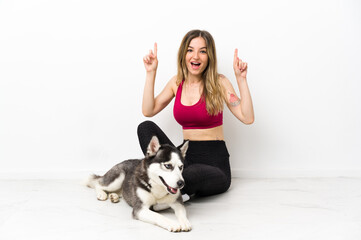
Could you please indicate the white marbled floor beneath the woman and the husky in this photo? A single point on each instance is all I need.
(252, 209)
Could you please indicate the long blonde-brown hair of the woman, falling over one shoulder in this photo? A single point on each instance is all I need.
(212, 90)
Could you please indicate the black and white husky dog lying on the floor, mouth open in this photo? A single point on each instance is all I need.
(144, 183)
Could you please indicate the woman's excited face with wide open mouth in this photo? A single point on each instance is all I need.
(197, 57)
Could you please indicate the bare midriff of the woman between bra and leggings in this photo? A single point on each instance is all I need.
(203, 134)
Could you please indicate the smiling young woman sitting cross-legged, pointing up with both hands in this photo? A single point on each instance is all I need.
(200, 93)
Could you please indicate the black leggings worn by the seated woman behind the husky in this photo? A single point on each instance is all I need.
(206, 168)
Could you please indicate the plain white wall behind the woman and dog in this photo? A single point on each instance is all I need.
(72, 77)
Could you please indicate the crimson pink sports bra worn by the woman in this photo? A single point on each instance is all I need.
(195, 116)
